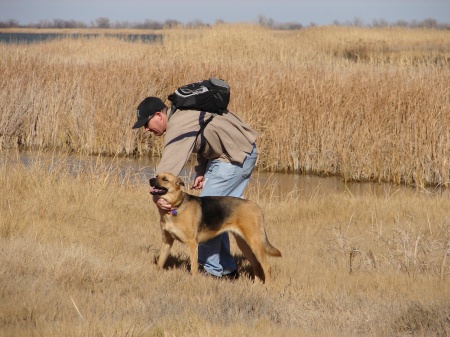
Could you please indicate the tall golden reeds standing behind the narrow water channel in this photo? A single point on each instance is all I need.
(368, 104)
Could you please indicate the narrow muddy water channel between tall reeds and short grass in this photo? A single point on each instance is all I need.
(280, 185)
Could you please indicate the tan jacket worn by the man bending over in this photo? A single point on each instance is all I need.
(226, 137)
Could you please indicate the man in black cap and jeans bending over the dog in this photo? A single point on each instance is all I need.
(226, 155)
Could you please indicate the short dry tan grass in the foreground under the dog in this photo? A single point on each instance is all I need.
(77, 245)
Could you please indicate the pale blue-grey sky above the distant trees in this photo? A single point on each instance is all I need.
(320, 12)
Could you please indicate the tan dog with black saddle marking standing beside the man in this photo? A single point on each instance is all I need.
(197, 219)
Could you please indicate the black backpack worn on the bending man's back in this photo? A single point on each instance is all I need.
(212, 95)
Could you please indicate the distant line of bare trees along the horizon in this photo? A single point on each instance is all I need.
(105, 23)
